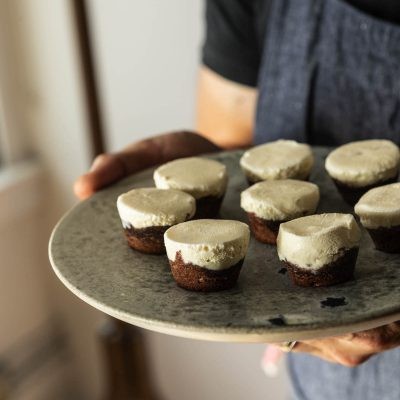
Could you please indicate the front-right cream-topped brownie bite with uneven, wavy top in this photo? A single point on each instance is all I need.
(319, 250)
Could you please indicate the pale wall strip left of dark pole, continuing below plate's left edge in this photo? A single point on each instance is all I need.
(58, 126)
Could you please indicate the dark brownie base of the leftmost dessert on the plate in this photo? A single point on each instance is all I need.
(146, 240)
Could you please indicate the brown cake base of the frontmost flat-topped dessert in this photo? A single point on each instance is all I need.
(192, 277)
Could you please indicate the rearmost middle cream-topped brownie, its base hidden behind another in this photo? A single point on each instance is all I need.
(282, 159)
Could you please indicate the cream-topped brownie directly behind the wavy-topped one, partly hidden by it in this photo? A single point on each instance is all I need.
(270, 203)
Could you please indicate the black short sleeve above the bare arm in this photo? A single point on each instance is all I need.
(232, 43)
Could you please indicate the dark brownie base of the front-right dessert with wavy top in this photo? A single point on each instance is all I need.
(338, 271)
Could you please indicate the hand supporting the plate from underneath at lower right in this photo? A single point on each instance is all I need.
(353, 349)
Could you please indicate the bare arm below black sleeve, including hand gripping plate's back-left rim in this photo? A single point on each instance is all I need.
(224, 122)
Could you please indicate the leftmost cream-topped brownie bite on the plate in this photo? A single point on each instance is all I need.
(148, 212)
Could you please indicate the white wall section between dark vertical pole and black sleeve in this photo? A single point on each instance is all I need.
(147, 56)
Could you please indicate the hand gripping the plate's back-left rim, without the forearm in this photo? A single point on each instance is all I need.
(109, 168)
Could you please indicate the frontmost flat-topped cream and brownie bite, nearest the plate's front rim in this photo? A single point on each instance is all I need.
(207, 255)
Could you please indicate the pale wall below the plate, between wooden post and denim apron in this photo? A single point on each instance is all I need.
(196, 370)
